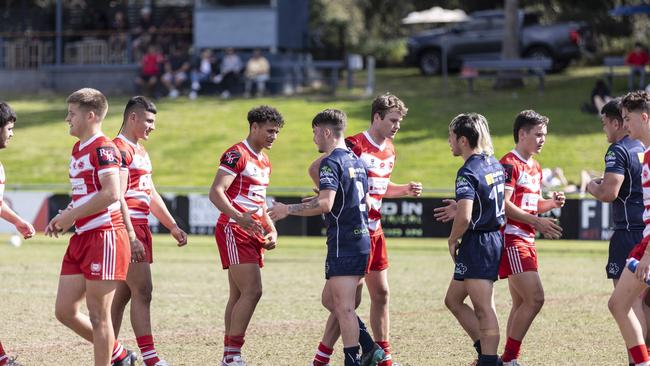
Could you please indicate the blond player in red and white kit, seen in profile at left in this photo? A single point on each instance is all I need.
(98, 254)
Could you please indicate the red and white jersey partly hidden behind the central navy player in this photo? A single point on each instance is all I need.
(379, 160)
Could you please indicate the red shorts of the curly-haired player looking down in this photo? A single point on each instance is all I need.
(236, 246)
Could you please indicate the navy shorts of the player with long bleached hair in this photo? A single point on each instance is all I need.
(479, 256)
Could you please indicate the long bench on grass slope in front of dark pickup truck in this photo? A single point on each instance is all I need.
(516, 68)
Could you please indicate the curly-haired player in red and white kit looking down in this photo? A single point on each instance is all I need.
(244, 229)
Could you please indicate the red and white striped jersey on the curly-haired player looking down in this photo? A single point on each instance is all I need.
(252, 172)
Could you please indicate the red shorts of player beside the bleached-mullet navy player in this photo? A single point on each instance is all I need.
(518, 256)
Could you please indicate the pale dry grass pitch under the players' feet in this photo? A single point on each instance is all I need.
(573, 328)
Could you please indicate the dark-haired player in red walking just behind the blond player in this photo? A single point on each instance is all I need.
(141, 198)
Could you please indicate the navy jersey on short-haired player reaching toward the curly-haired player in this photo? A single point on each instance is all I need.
(347, 222)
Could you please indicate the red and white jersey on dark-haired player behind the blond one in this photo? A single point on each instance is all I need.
(138, 192)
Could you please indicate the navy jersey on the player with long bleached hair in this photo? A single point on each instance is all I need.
(482, 179)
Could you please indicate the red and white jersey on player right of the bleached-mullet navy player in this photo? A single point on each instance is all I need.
(524, 179)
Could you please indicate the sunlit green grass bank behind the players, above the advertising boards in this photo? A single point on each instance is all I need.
(191, 135)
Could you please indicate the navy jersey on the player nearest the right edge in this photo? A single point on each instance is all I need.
(625, 157)
